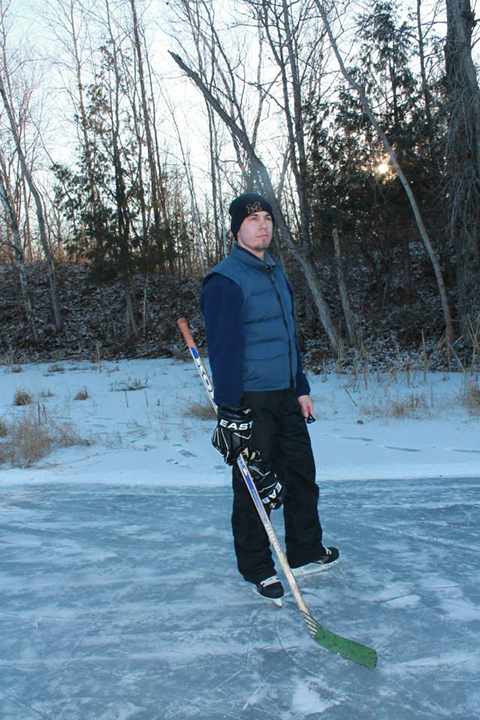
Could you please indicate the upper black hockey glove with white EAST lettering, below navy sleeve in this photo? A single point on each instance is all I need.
(233, 432)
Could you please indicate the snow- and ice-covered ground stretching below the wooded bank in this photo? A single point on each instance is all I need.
(119, 595)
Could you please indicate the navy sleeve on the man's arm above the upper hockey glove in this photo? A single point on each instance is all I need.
(221, 301)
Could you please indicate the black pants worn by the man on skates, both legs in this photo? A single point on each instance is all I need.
(280, 433)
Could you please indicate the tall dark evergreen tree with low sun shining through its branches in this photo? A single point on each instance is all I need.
(353, 186)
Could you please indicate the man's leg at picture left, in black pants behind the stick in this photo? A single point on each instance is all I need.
(252, 547)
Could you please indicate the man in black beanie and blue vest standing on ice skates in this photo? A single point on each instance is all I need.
(263, 398)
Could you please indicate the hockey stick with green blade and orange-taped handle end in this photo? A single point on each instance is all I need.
(348, 649)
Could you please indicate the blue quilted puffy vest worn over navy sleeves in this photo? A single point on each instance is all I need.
(270, 359)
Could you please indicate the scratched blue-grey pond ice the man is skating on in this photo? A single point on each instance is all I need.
(124, 603)
